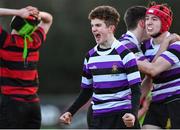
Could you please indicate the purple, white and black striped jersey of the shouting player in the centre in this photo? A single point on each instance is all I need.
(111, 74)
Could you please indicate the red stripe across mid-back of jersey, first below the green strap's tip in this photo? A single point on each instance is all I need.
(19, 74)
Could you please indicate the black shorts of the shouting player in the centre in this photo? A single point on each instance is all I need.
(113, 121)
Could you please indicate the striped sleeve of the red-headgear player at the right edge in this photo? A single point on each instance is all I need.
(172, 55)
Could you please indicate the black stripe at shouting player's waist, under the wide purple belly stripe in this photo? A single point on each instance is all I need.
(109, 90)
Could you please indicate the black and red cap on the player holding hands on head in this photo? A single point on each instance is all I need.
(18, 23)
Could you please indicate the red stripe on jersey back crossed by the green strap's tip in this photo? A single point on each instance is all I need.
(17, 56)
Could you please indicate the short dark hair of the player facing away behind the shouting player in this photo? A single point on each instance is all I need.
(133, 15)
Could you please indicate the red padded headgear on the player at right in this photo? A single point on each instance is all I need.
(165, 15)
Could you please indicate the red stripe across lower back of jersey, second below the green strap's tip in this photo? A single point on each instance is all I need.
(18, 90)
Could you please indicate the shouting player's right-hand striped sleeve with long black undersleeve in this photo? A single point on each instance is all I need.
(134, 79)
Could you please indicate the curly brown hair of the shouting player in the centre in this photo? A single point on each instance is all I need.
(107, 13)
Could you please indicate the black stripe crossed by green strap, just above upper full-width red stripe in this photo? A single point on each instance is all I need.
(17, 49)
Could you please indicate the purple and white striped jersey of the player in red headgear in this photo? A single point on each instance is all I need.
(166, 84)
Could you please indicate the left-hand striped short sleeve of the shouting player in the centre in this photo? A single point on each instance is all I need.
(86, 81)
